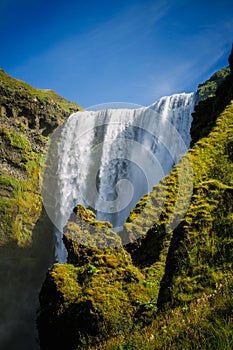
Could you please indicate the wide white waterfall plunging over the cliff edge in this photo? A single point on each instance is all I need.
(108, 159)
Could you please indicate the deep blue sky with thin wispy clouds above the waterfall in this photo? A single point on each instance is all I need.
(94, 52)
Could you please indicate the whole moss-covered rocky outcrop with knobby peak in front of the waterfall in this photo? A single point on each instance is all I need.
(98, 292)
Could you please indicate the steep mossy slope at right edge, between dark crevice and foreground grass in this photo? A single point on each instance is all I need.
(201, 247)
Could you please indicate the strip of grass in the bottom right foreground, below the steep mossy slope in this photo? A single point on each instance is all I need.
(203, 324)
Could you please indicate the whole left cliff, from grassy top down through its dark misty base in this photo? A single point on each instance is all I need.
(27, 117)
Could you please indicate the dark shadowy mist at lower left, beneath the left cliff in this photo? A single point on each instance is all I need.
(22, 272)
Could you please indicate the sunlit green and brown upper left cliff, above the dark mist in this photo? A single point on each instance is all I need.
(27, 115)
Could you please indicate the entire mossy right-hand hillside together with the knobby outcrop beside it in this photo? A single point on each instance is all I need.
(102, 293)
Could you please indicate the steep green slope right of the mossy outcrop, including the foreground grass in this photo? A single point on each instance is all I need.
(195, 295)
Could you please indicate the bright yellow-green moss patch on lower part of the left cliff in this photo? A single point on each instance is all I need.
(22, 202)
